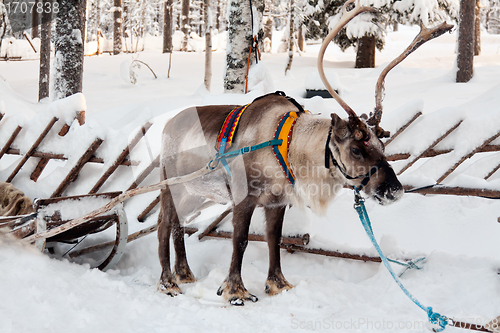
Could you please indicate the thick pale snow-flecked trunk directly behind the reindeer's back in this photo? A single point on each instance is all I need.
(239, 42)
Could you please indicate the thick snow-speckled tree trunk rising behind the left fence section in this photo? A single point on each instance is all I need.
(68, 60)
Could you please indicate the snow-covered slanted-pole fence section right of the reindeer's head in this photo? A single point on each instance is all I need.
(445, 152)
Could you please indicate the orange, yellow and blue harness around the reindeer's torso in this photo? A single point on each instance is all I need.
(280, 142)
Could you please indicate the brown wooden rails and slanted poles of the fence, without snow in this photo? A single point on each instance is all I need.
(406, 161)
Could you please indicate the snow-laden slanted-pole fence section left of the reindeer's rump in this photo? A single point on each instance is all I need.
(47, 156)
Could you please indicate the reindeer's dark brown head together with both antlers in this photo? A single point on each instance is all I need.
(354, 146)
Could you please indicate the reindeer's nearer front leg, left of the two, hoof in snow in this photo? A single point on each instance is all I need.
(232, 289)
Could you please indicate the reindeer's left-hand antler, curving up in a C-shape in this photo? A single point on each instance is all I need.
(344, 19)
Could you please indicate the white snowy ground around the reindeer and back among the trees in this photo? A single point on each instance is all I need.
(459, 235)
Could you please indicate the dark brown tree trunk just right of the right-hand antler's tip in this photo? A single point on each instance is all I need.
(465, 52)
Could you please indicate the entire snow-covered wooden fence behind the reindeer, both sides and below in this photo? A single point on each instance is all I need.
(446, 152)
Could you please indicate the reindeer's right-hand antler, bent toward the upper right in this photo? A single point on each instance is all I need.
(424, 35)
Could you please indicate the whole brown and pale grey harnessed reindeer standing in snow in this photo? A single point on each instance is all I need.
(322, 155)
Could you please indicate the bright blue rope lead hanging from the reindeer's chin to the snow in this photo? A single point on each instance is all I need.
(434, 317)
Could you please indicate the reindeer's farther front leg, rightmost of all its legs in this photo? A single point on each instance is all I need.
(276, 282)
